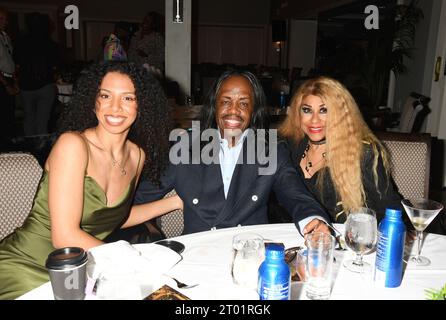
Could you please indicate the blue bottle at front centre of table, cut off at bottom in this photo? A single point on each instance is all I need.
(274, 274)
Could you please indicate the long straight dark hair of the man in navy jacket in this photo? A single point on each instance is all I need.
(259, 118)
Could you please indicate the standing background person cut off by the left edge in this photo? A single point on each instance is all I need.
(8, 83)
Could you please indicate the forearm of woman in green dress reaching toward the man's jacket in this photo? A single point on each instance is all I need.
(143, 212)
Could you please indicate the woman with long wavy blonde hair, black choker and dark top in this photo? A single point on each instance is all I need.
(341, 161)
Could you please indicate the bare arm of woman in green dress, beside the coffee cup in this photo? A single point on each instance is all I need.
(66, 164)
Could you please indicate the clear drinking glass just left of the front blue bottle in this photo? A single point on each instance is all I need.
(249, 253)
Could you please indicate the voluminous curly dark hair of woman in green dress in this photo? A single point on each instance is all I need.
(150, 131)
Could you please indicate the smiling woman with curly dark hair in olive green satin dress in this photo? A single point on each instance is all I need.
(115, 128)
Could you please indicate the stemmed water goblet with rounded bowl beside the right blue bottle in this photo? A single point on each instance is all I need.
(360, 236)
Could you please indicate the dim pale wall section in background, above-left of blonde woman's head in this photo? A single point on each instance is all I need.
(302, 44)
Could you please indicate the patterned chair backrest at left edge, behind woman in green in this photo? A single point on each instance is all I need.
(20, 174)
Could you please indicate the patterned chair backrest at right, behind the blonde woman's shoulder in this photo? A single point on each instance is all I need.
(410, 155)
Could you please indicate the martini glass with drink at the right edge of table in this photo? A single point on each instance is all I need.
(421, 212)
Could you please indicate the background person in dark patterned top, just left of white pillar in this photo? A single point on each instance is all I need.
(147, 46)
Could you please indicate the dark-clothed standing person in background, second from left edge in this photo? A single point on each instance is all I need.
(37, 59)
